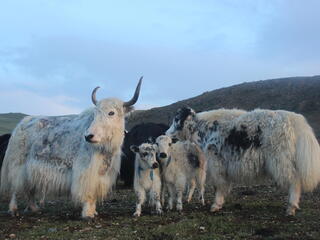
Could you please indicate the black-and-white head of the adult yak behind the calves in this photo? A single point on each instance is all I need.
(183, 124)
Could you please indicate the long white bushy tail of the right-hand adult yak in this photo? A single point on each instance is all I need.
(307, 157)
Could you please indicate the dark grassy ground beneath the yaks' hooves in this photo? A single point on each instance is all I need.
(256, 212)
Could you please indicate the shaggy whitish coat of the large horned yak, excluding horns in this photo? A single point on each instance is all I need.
(50, 156)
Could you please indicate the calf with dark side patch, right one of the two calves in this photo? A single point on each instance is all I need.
(182, 163)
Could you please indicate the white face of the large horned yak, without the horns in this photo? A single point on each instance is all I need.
(107, 123)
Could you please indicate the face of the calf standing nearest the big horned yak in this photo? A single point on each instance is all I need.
(147, 155)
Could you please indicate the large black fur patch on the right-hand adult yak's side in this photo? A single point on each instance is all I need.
(239, 139)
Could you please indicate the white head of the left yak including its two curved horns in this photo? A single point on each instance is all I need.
(107, 126)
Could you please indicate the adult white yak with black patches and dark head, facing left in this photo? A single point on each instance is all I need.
(278, 144)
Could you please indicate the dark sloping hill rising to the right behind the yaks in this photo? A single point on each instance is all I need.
(298, 94)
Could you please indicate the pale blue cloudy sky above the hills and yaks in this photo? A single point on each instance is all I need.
(54, 52)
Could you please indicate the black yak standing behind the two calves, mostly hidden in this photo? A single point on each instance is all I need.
(137, 135)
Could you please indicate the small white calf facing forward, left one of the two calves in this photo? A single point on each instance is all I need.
(147, 176)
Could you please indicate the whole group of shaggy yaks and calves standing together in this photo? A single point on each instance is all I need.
(81, 155)
